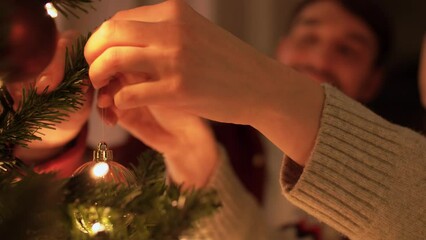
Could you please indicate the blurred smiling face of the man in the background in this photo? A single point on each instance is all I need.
(331, 45)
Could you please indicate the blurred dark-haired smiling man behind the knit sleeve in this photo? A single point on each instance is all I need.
(344, 43)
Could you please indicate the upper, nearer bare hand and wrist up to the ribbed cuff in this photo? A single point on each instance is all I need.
(168, 55)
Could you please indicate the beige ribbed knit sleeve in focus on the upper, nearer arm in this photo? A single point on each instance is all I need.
(366, 176)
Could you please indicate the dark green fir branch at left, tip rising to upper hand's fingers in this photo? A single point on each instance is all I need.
(36, 111)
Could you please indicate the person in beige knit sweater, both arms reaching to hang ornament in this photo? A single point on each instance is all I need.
(350, 168)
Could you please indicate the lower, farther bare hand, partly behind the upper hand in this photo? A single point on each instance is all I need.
(186, 141)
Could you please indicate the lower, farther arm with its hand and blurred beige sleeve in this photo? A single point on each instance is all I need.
(193, 158)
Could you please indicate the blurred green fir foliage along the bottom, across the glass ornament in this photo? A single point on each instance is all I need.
(64, 209)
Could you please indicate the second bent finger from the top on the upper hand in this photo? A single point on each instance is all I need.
(118, 60)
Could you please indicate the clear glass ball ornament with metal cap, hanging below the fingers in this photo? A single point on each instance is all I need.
(92, 218)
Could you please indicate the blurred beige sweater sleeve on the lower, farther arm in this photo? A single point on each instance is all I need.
(240, 216)
